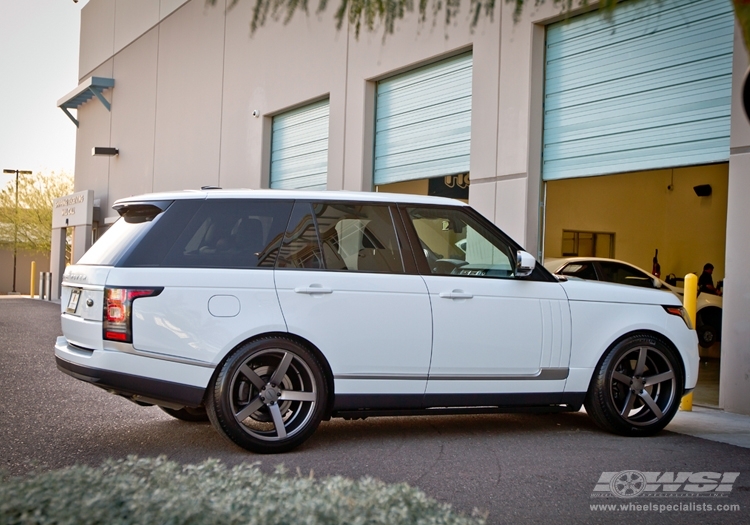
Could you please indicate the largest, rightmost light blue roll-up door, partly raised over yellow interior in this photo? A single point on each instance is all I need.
(649, 89)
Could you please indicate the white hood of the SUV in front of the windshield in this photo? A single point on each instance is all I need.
(580, 290)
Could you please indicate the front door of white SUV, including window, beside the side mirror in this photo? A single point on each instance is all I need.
(493, 333)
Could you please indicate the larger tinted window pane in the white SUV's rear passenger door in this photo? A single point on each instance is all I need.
(358, 237)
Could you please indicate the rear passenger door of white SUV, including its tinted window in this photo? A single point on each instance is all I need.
(348, 286)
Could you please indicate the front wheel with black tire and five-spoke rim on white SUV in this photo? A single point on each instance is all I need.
(622, 400)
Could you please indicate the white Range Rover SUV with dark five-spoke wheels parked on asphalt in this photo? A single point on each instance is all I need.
(269, 311)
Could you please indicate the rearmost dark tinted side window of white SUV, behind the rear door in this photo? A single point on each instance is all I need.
(231, 233)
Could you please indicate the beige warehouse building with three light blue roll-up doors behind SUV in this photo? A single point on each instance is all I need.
(564, 129)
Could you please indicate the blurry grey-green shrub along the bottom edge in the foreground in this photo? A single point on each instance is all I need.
(143, 491)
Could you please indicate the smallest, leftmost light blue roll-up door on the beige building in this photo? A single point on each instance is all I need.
(299, 148)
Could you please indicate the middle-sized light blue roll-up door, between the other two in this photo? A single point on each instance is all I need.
(423, 122)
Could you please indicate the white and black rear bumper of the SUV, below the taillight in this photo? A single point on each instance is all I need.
(113, 371)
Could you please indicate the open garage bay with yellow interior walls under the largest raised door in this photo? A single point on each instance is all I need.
(631, 215)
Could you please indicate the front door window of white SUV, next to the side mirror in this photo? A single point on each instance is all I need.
(455, 244)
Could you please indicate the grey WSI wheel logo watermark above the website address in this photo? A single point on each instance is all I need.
(634, 483)
